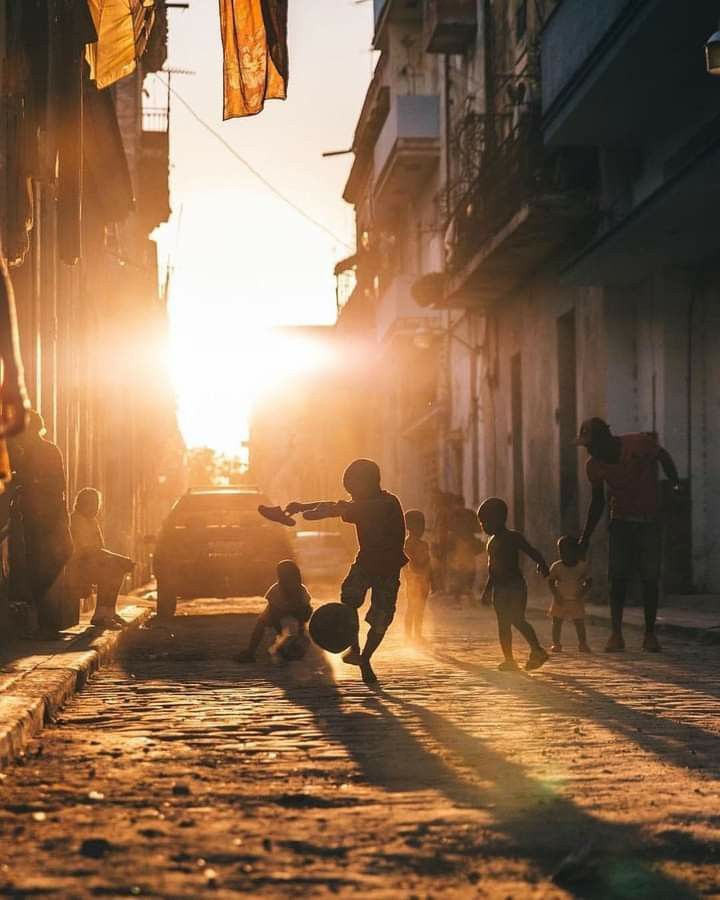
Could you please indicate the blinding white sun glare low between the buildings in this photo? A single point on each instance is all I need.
(224, 365)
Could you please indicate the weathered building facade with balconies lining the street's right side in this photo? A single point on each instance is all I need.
(560, 246)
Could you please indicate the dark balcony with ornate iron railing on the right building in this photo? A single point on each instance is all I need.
(524, 207)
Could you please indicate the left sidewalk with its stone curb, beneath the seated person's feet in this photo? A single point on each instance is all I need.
(38, 677)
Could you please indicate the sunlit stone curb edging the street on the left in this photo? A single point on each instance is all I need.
(37, 696)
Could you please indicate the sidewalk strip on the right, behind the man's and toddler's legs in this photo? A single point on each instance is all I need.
(696, 617)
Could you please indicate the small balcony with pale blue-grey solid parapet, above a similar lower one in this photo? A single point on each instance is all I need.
(407, 150)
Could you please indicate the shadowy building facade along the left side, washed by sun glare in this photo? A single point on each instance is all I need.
(83, 184)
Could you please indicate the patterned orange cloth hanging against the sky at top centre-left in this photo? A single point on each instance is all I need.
(255, 67)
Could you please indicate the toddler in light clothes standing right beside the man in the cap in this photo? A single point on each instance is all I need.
(569, 583)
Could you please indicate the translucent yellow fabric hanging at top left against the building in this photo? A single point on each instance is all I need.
(123, 27)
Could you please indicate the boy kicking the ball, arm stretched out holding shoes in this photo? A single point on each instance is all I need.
(378, 519)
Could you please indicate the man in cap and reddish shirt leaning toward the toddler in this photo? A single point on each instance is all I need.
(627, 465)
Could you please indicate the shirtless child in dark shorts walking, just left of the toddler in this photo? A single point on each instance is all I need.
(506, 587)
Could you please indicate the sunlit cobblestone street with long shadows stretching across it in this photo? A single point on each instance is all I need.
(179, 773)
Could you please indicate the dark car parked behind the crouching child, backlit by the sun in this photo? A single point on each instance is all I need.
(214, 544)
